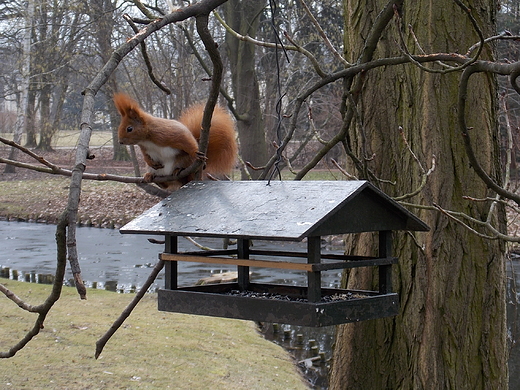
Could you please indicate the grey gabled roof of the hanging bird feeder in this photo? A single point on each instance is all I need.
(281, 210)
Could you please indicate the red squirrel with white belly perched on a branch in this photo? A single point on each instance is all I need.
(169, 146)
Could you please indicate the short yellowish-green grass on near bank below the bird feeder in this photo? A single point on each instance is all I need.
(153, 350)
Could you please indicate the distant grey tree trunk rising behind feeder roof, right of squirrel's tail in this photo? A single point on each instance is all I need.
(242, 16)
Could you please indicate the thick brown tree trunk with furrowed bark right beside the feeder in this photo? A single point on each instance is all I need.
(451, 330)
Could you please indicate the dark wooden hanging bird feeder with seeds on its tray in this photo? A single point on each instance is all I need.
(248, 211)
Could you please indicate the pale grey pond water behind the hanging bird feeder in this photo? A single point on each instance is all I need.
(118, 262)
